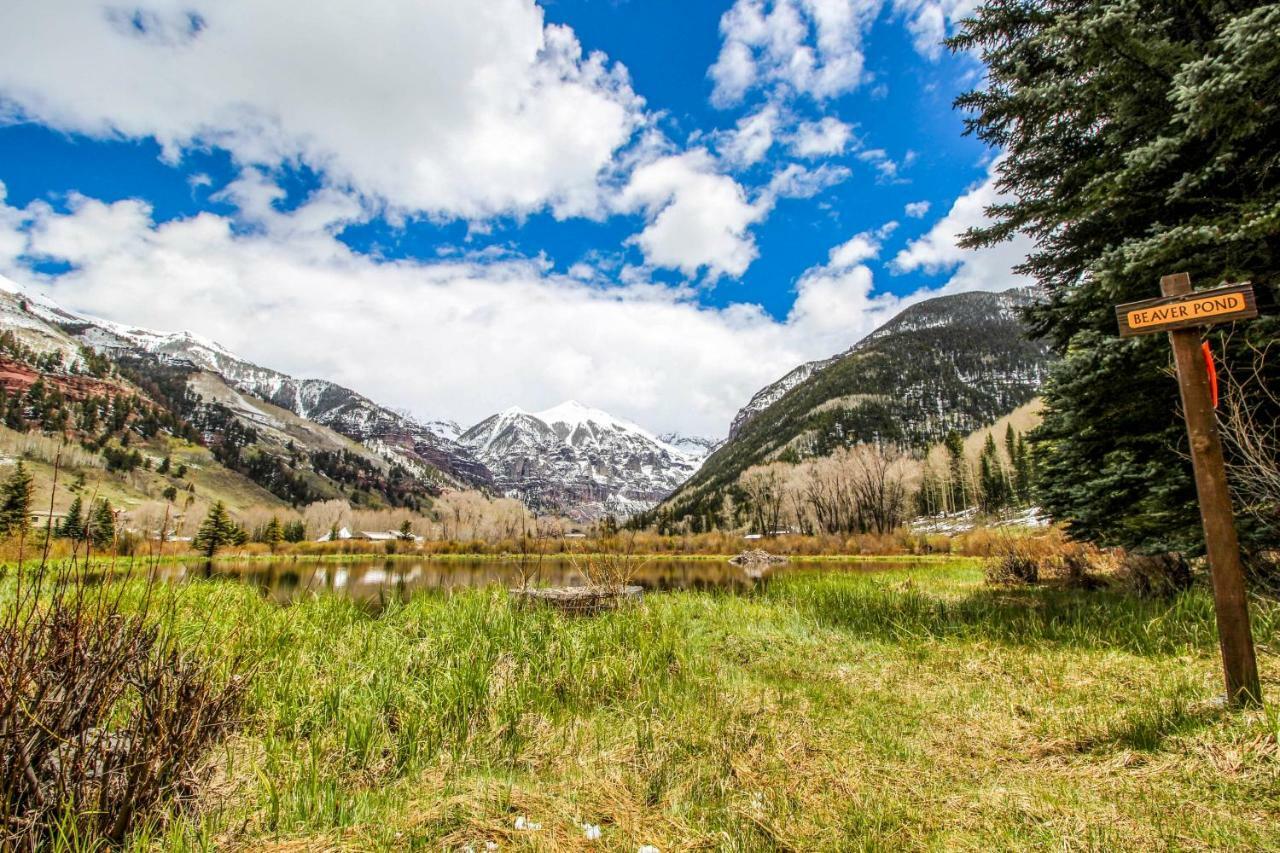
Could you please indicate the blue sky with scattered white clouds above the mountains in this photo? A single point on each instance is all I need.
(653, 207)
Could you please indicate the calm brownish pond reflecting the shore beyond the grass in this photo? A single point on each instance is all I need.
(377, 581)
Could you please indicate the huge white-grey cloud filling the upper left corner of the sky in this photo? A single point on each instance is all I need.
(459, 110)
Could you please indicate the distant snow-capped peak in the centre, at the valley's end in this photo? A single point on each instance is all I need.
(578, 460)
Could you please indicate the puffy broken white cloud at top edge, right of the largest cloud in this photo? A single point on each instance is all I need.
(807, 47)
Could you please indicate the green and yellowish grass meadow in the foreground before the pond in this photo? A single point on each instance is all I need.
(899, 710)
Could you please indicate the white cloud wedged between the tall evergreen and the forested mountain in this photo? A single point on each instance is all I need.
(985, 270)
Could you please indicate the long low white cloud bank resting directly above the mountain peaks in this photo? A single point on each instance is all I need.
(459, 339)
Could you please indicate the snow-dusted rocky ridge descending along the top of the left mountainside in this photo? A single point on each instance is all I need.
(397, 437)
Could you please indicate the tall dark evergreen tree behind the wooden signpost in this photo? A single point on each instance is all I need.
(1140, 140)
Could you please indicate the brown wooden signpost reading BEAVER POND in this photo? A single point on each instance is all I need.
(1181, 313)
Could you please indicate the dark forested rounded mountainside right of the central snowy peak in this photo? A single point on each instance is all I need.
(948, 366)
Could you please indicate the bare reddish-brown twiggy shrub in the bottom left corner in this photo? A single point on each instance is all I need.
(103, 717)
